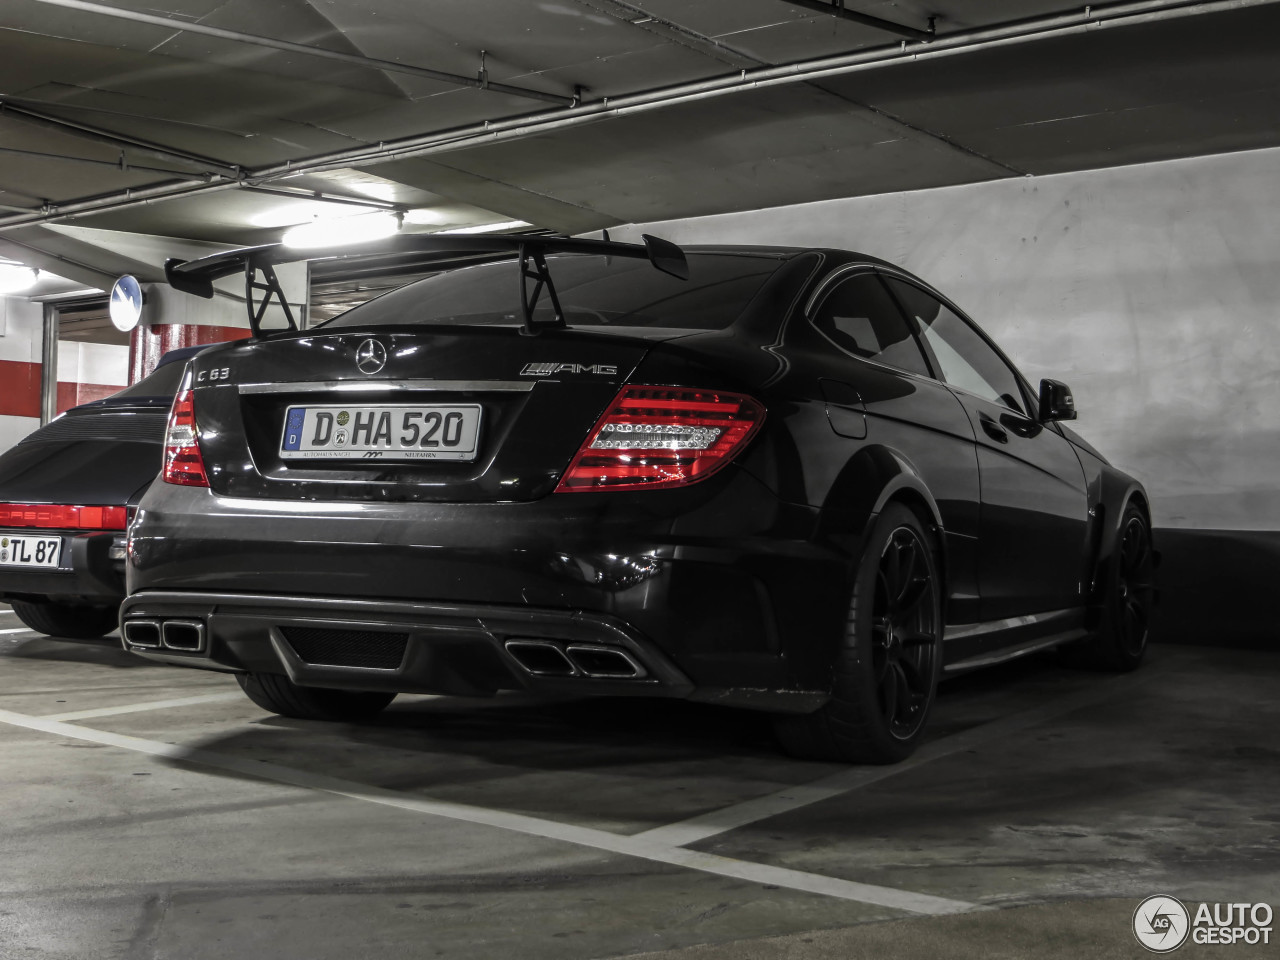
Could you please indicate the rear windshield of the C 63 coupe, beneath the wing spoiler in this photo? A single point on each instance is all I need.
(595, 291)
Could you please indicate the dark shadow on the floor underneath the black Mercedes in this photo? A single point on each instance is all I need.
(458, 744)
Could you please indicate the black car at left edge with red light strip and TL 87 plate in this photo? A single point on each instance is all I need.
(67, 492)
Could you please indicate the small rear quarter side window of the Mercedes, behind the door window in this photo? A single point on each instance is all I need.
(862, 319)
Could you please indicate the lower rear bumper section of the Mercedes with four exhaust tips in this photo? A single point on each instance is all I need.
(431, 648)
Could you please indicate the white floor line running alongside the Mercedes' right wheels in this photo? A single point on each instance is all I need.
(728, 819)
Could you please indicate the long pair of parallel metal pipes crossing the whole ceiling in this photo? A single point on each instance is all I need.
(532, 125)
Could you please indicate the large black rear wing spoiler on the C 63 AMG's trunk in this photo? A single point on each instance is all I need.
(258, 266)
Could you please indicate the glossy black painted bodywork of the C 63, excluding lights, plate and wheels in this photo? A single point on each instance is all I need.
(740, 583)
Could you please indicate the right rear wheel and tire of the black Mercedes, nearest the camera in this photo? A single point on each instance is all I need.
(892, 647)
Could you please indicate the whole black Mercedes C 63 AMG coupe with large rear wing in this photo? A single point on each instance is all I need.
(797, 481)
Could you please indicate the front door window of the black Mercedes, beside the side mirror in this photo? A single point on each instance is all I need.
(967, 360)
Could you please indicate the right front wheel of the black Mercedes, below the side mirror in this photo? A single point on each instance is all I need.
(1128, 591)
